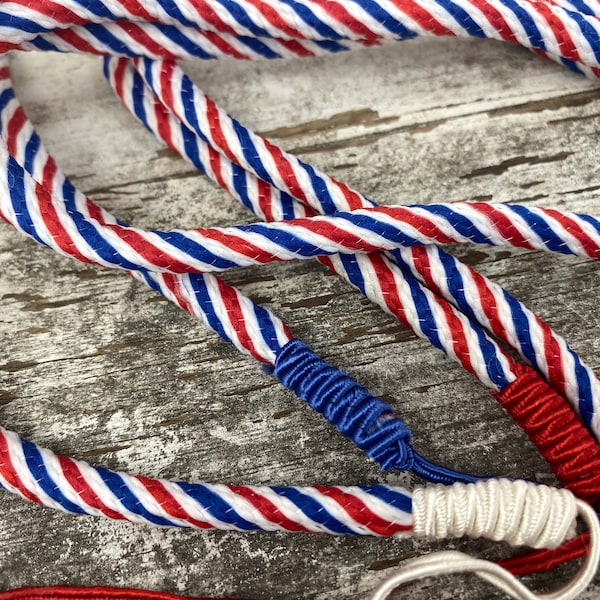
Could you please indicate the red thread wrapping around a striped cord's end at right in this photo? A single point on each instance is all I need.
(554, 427)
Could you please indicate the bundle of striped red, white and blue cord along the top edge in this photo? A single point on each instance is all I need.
(563, 31)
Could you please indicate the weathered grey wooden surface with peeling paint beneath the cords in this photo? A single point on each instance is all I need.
(98, 367)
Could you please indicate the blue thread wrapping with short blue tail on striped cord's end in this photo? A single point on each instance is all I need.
(368, 421)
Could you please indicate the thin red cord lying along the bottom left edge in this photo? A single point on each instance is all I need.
(91, 593)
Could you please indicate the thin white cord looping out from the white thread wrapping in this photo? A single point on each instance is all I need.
(446, 563)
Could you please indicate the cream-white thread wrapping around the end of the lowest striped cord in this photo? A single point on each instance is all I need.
(518, 512)
